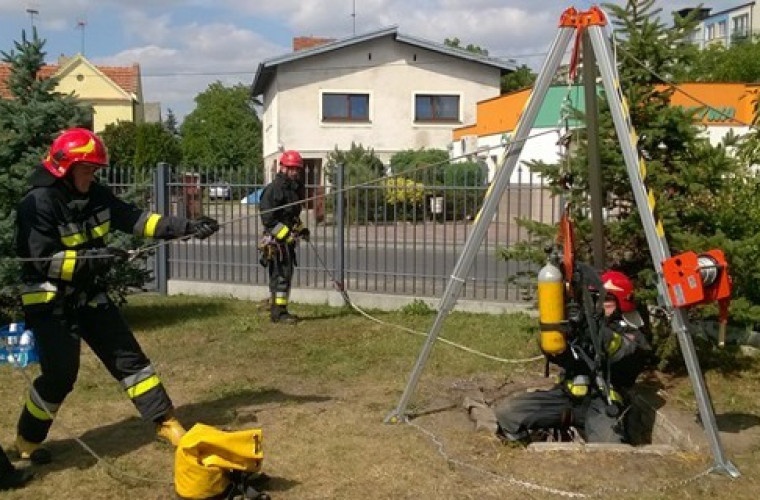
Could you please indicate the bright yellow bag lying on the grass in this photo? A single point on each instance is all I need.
(206, 456)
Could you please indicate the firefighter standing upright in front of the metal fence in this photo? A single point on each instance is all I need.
(280, 207)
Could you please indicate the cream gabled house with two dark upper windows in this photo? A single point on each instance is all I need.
(384, 90)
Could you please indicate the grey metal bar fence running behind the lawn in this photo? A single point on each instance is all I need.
(377, 231)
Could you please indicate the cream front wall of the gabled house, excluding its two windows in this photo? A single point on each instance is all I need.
(391, 72)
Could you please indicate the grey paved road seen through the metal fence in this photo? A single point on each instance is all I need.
(416, 269)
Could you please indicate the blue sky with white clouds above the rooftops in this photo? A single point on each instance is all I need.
(183, 46)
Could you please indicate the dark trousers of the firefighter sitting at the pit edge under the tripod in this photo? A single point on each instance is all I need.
(556, 409)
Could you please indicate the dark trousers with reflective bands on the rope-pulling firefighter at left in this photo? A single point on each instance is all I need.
(108, 335)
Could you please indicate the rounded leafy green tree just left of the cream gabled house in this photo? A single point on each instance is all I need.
(223, 133)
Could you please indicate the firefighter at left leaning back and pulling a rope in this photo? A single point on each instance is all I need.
(63, 221)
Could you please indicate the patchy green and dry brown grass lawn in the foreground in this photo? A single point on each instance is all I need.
(320, 392)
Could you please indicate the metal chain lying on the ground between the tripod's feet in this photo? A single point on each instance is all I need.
(602, 492)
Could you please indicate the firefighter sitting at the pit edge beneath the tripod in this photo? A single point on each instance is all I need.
(593, 399)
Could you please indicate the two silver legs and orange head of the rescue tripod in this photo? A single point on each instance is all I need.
(588, 24)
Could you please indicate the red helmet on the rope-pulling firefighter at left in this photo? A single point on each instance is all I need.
(75, 145)
